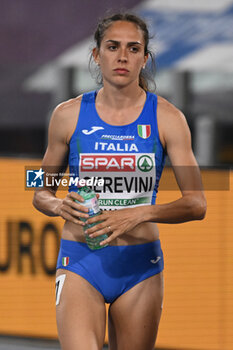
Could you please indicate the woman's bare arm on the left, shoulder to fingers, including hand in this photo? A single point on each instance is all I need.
(62, 124)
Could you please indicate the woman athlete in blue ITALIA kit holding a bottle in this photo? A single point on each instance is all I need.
(121, 133)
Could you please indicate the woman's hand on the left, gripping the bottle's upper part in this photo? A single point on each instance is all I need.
(72, 211)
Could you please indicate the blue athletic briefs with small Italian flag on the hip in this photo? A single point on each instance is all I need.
(114, 269)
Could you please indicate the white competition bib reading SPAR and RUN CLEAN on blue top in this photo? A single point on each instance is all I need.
(129, 178)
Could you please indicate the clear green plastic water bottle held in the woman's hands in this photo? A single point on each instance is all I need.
(91, 202)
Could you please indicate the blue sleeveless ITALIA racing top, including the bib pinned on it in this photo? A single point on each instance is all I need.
(129, 158)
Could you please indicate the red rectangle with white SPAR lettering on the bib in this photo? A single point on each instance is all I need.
(107, 162)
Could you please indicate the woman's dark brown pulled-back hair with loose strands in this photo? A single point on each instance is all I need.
(146, 75)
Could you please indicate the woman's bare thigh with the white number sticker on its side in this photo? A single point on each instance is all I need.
(80, 313)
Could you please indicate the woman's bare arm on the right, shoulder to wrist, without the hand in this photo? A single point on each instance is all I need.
(177, 140)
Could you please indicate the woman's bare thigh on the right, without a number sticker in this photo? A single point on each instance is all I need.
(134, 317)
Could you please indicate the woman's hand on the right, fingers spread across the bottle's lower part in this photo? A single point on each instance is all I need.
(114, 223)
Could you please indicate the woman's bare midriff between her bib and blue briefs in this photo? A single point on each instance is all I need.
(143, 233)
